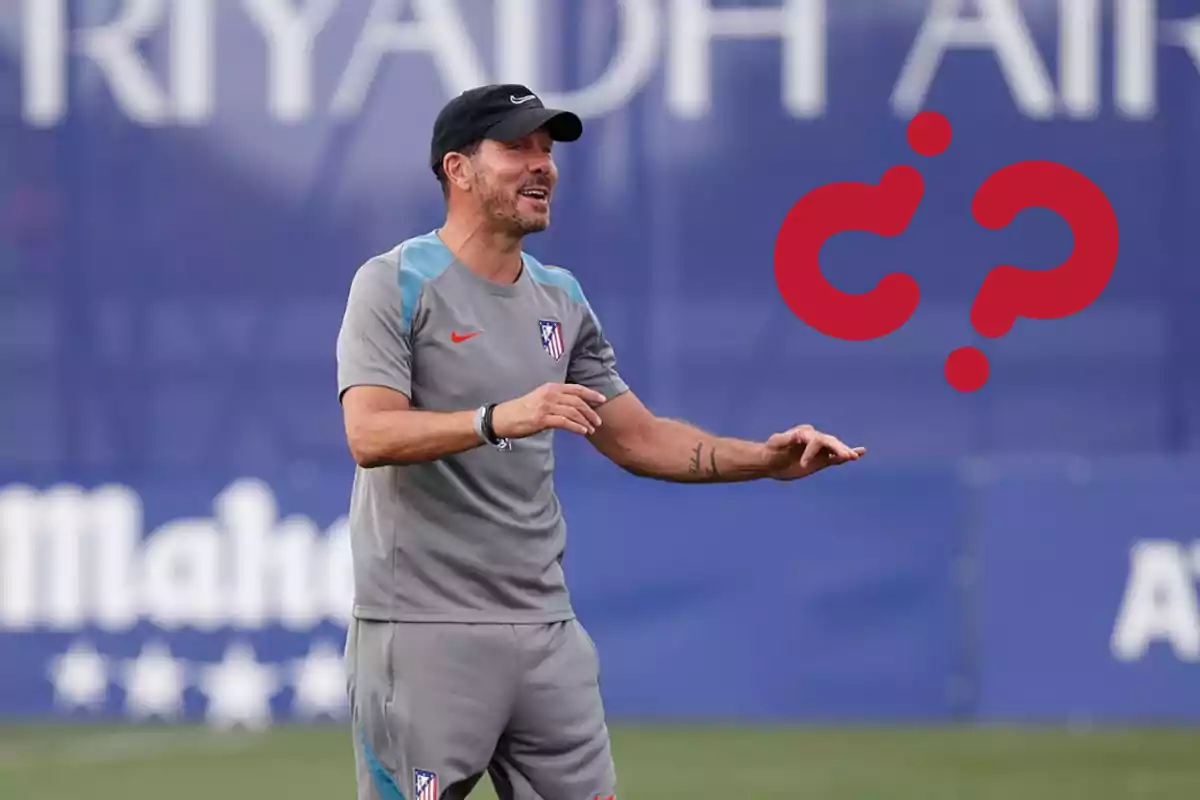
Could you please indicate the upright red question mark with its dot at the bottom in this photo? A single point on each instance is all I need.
(1010, 292)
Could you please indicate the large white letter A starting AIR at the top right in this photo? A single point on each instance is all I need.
(1000, 28)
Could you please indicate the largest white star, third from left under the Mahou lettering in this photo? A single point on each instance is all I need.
(239, 690)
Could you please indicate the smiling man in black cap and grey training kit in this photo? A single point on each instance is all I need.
(459, 358)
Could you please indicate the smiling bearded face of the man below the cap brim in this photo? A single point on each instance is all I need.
(514, 182)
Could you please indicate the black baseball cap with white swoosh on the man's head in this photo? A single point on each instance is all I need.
(502, 112)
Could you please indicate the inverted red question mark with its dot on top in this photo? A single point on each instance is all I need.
(885, 209)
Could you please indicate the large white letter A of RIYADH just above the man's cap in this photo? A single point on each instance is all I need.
(441, 32)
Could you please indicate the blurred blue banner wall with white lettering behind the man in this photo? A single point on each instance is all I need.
(188, 188)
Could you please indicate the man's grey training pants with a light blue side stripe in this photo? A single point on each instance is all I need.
(434, 706)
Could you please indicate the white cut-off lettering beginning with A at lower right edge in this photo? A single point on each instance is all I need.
(1161, 603)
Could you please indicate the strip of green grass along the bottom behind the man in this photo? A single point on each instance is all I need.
(655, 763)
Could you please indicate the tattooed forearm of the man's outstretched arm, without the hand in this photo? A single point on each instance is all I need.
(671, 450)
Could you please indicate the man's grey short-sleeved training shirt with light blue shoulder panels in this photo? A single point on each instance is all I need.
(478, 537)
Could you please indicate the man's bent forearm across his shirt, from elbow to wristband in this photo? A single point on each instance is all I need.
(409, 437)
